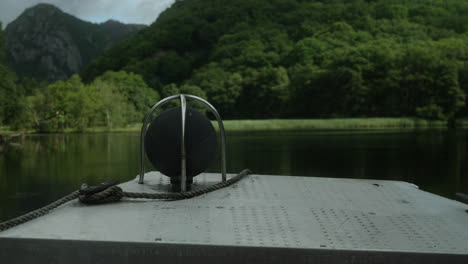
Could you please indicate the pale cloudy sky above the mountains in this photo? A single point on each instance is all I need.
(127, 11)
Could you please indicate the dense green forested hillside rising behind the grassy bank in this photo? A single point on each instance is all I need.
(306, 58)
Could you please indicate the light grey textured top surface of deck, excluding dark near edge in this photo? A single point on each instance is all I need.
(270, 211)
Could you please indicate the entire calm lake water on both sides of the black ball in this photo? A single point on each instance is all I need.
(39, 169)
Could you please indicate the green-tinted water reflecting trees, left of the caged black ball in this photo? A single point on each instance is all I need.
(56, 164)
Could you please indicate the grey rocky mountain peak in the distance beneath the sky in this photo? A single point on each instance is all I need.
(48, 44)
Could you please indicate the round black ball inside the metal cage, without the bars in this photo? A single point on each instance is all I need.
(163, 143)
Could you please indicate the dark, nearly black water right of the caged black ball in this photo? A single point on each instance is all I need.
(434, 160)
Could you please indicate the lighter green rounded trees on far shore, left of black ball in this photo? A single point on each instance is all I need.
(114, 99)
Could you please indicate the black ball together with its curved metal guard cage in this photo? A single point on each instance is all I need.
(181, 142)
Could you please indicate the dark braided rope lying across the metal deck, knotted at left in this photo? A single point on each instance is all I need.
(114, 194)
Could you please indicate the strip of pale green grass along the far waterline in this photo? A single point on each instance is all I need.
(300, 124)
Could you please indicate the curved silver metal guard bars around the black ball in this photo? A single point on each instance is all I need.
(183, 98)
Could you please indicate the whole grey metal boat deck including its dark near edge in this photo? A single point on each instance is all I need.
(266, 219)
